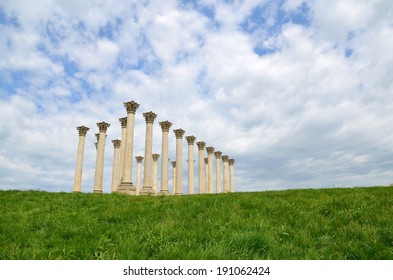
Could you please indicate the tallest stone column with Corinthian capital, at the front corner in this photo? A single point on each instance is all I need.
(126, 183)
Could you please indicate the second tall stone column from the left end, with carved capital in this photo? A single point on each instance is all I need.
(102, 126)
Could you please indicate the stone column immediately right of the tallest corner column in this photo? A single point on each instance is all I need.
(147, 183)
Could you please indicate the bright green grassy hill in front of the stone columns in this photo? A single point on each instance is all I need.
(354, 223)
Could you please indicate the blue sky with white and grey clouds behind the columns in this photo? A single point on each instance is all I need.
(299, 93)
